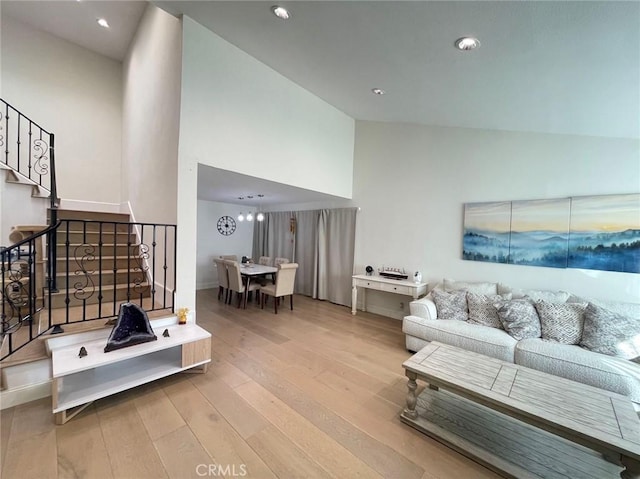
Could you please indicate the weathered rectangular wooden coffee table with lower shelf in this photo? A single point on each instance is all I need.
(521, 422)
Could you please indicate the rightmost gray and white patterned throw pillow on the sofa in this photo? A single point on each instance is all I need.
(610, 333)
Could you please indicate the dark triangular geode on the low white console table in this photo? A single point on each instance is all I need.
(132, 328)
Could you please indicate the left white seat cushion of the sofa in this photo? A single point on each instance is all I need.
(480, 339)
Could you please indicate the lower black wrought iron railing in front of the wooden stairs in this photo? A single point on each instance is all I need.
(99, 265)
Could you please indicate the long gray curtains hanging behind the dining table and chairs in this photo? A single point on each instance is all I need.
(323, 244)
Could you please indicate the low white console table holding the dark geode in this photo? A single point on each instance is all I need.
(79, 381)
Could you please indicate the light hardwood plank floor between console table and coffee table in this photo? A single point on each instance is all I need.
(314, 392)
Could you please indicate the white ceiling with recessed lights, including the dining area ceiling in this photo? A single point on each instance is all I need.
(566, 67)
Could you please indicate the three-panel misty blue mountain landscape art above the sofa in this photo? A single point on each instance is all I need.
(588, 232)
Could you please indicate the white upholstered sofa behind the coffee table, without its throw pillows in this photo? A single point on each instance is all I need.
(566, 360)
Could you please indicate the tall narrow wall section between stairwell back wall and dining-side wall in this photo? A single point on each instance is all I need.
(151, 117)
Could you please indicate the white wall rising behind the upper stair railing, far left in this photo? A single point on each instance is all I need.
(75, 94)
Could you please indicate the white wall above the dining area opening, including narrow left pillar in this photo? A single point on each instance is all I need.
(237, 114)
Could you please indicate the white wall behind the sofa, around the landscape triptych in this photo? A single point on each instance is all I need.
(412, 207)
